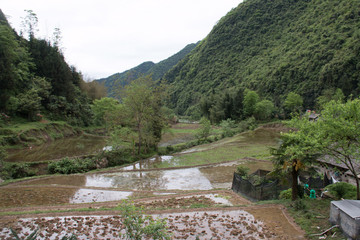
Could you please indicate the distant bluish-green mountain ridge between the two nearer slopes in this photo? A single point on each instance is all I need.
(156, 70)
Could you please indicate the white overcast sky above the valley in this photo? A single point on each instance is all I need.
(101, 38)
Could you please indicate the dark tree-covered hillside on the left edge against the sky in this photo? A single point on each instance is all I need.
(35, 79)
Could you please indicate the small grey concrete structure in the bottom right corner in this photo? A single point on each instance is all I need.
(346, 214)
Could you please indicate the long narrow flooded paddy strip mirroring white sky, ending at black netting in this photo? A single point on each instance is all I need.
(195, 178)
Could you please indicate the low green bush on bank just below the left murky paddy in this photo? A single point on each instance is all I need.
(68, 166)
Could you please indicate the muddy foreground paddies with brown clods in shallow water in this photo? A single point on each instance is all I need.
(269, 221)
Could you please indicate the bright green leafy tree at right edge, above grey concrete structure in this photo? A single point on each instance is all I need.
(338, 131)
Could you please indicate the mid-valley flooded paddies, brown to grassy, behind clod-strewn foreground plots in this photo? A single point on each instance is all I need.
(145, 175)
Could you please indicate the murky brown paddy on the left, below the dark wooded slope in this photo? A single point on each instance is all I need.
(66, 147)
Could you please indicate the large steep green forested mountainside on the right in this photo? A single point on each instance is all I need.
(274, 47)
